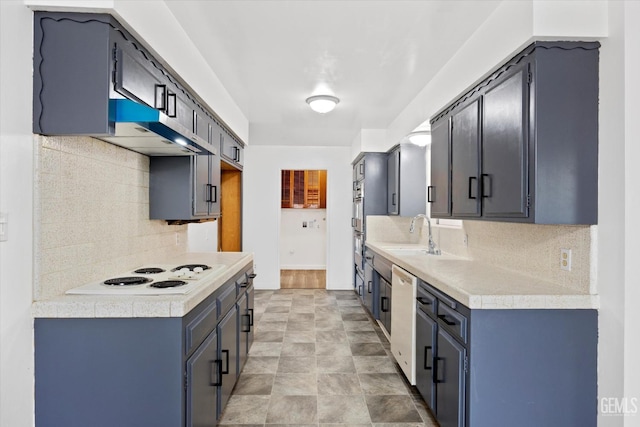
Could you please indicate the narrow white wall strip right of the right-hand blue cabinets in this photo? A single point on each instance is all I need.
(611, 215)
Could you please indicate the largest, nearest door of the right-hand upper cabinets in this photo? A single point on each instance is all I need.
(504, 146)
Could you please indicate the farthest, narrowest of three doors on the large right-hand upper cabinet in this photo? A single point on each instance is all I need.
(439, 192)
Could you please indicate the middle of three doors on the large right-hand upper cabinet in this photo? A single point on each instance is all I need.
(465, 161)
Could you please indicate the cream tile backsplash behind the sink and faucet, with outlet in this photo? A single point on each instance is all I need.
(529, 249)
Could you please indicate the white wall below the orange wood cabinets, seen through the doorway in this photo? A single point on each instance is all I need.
(303, 248)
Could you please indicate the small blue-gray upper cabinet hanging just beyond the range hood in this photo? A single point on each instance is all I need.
(184, 188)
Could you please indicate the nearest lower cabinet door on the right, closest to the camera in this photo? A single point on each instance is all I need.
(450, 380)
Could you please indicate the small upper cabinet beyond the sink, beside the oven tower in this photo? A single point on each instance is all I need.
(406, 180)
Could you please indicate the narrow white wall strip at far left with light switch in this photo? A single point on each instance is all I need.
(16, 193)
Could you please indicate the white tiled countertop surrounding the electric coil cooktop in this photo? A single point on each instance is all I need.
(87, 306)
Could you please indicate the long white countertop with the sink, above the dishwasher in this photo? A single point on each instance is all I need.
(479, 286)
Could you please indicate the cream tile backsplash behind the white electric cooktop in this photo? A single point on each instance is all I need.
(91, 217)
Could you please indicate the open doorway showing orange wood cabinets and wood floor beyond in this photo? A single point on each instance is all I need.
(303, 229)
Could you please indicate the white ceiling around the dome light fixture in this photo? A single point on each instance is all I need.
(373, 55)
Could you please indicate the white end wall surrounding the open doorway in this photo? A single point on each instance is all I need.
(261, 208)
